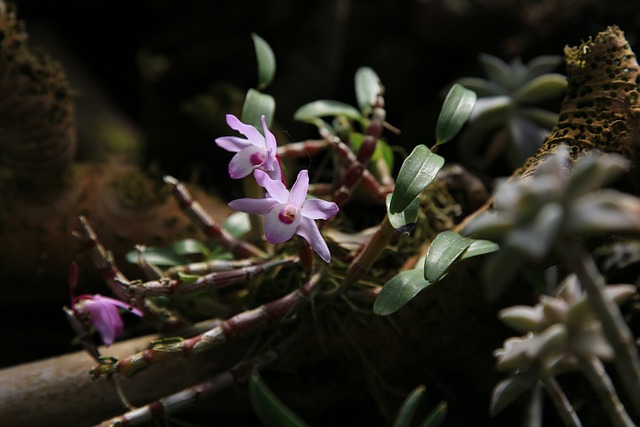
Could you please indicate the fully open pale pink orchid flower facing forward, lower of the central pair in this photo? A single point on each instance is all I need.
(288, 213)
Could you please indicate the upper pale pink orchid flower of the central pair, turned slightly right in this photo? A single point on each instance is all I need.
(257, 152)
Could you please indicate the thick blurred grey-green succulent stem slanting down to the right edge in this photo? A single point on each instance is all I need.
(613, 324)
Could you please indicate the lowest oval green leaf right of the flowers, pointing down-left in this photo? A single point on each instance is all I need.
(398, 291)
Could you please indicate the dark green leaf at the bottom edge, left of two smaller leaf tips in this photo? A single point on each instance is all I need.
(271, 411)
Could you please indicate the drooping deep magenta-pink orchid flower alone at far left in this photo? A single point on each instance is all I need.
(103, 314)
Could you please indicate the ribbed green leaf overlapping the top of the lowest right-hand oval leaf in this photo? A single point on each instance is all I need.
(445, 249)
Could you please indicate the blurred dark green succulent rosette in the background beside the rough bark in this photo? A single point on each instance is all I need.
(507, 120)
